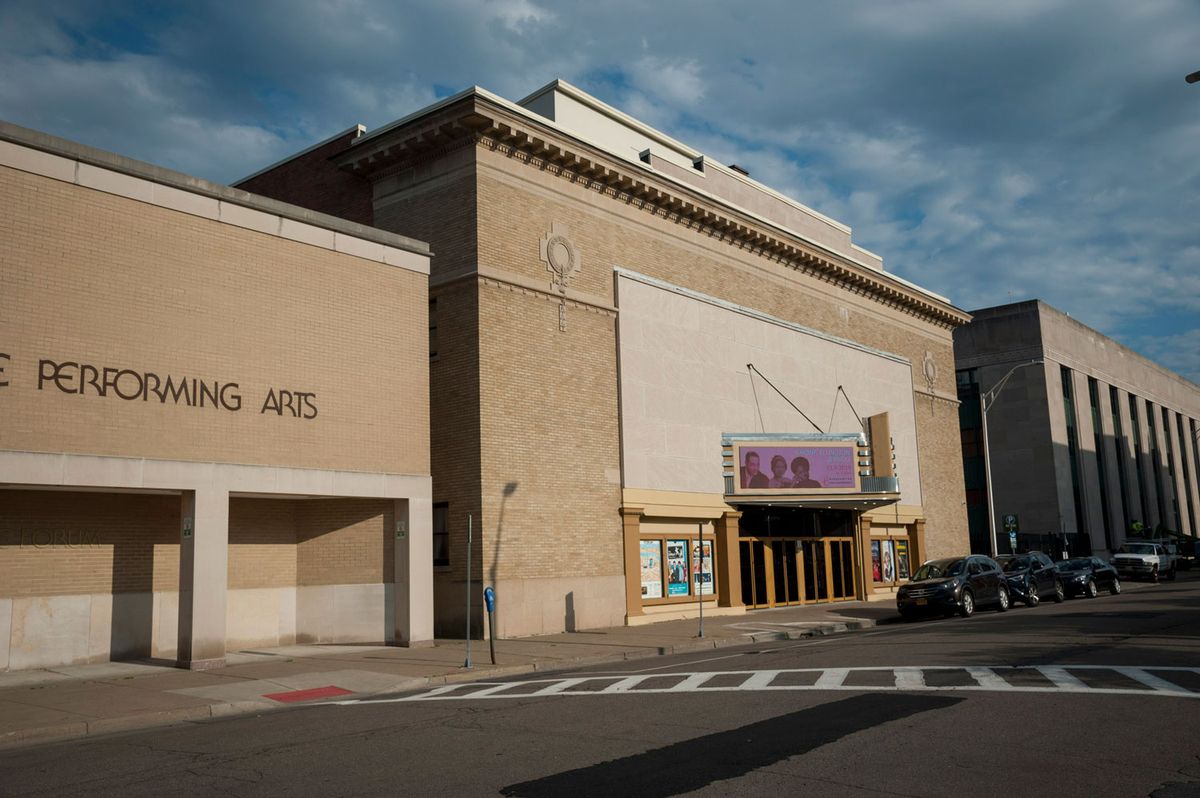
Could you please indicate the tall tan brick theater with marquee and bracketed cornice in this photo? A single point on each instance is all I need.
(614, 319)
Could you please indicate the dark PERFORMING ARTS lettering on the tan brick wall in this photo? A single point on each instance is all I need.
(134, 386)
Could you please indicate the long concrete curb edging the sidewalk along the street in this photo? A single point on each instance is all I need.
(77, 730)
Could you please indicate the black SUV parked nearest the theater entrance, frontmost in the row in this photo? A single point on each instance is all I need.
(955, 585)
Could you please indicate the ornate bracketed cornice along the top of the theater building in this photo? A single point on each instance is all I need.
(479, 118)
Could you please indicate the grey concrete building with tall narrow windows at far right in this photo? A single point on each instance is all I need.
(1085, 442)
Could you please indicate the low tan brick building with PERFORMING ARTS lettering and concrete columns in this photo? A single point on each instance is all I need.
(214, 418)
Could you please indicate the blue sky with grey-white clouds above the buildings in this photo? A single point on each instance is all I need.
(993, 151)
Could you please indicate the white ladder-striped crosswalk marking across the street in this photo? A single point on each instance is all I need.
(905, 679)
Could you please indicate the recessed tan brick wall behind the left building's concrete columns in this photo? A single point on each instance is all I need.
(57, 543)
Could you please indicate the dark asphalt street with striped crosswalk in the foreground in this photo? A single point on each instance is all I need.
(1090, 698)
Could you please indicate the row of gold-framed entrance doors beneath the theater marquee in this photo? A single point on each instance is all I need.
(782, 572)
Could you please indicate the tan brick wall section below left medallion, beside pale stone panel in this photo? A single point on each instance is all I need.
(550, 439)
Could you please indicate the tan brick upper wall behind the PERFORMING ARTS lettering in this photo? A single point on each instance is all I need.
(92, 278)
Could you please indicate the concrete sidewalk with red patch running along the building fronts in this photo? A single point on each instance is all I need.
(82, 700)
